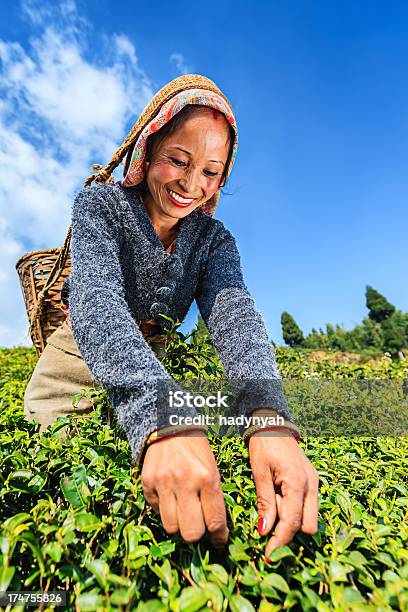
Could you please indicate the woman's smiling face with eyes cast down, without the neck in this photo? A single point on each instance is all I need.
(186, 167)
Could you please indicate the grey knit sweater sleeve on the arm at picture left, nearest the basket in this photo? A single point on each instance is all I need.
(107, 335)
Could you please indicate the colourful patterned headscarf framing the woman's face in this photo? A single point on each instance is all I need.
(202, 97)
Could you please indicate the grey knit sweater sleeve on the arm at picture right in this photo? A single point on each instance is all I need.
(238, 330)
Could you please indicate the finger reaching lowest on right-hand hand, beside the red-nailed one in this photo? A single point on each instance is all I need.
(290, 516)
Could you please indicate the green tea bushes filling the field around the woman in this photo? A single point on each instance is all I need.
(73, 516)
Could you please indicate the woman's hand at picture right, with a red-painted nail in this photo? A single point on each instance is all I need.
(279, 462)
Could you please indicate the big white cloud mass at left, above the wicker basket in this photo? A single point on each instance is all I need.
(62, 108)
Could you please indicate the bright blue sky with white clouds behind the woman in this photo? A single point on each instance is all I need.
(318, 193)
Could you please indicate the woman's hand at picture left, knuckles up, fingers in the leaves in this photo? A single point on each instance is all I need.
(180, 480)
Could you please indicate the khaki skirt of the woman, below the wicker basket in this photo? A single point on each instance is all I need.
(60, 373)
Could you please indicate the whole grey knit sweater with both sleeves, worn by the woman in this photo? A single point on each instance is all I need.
(121, 275)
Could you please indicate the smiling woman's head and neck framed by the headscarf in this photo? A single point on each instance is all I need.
(182, 178)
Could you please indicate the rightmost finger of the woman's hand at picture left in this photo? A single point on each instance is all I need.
(215, 516)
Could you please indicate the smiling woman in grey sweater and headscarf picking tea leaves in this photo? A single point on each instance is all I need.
(148, 245)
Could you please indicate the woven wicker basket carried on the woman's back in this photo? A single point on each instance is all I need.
(34, 270)
